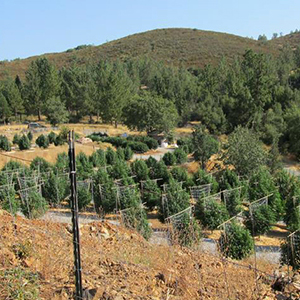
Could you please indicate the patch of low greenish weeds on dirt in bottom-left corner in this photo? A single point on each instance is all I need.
(19, 283)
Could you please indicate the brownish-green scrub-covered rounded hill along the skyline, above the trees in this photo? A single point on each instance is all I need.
(177, 46)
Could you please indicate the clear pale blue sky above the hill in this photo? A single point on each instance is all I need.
(32, 27)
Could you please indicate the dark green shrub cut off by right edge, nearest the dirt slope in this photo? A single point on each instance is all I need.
(290, 251)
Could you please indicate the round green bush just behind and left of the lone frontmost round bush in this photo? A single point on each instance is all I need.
(211, 213)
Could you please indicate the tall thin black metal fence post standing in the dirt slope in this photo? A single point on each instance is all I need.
(74, 208)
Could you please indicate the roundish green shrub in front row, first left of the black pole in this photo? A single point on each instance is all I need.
(34, 206)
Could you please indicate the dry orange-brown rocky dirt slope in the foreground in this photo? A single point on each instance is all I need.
(120, 265)
